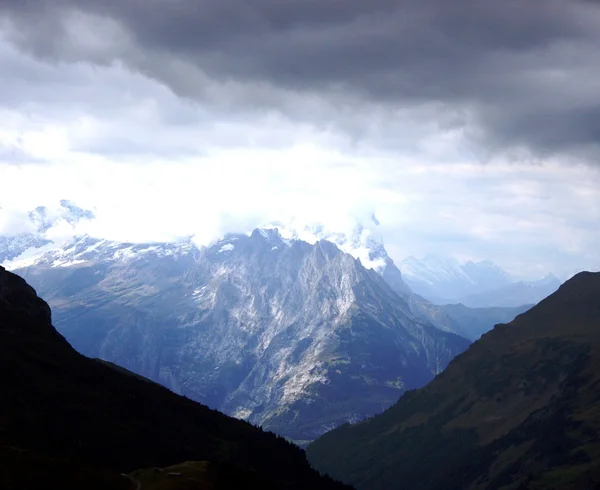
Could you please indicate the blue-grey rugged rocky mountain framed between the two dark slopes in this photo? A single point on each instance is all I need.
(295, 336)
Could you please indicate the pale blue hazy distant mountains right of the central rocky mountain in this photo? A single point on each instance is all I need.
(474, 284)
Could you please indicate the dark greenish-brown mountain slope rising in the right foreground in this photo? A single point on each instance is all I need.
(519, 409)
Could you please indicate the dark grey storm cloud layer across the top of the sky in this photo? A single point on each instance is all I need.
(517, 73)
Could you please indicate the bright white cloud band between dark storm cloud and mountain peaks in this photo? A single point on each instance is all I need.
(157, 167)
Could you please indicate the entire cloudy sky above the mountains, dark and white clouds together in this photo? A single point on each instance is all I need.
(470, 128)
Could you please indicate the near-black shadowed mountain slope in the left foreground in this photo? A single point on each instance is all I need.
(63, 412)
